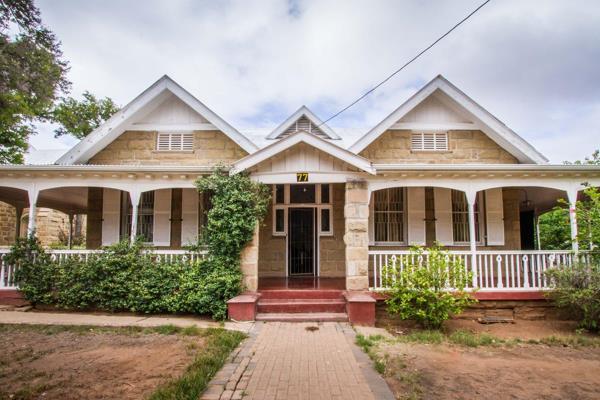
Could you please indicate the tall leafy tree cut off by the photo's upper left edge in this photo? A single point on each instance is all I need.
(33, 75)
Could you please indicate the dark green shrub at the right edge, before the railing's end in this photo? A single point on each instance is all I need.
(578, 289)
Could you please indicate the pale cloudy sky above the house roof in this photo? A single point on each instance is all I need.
(534, 64)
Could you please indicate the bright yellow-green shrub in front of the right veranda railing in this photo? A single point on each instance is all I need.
(420, 290)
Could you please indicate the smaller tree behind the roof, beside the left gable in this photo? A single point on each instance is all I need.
(79, 118)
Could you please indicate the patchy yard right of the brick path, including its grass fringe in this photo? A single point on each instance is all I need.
(466, 364)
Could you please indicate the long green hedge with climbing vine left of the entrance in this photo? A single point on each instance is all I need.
(126, 278)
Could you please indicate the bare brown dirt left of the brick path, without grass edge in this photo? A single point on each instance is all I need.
(101, 365)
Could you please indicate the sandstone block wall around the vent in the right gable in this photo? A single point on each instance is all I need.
(464, 147)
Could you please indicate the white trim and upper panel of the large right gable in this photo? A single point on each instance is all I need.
(439, 105)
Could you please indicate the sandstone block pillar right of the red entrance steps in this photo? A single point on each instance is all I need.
(356, 237)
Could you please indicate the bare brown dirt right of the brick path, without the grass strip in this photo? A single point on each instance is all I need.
(518, 371)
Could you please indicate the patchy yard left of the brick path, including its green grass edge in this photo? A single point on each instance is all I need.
(92, 362)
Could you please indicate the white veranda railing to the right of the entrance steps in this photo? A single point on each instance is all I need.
(509, 270)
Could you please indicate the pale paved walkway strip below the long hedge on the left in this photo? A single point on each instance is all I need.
(57, 318)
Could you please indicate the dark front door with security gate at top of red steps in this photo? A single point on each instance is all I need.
(301, 241)
